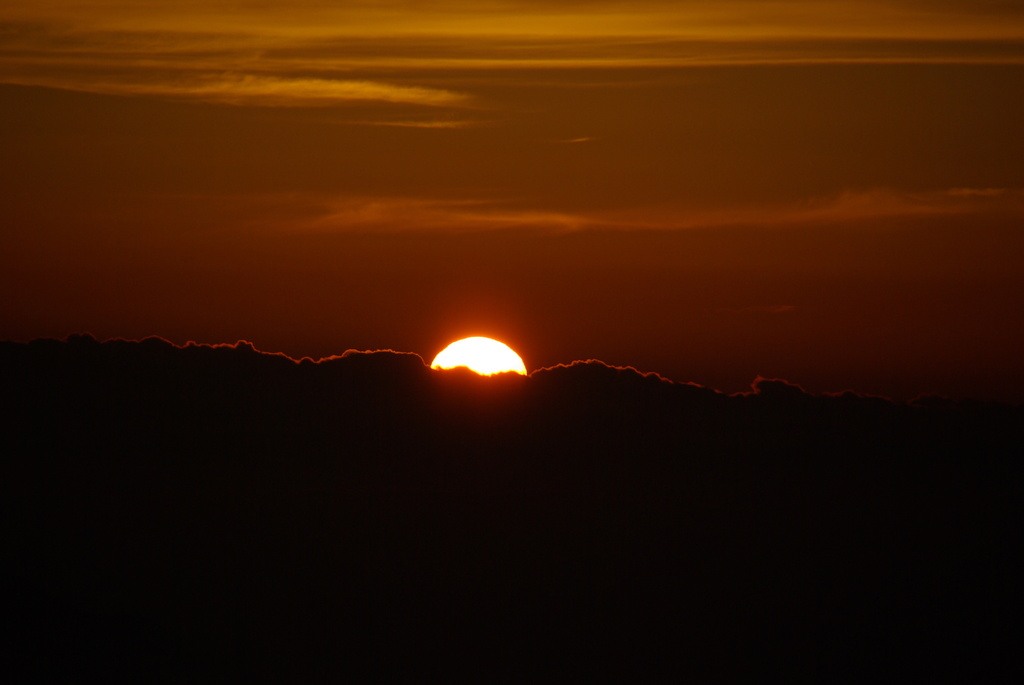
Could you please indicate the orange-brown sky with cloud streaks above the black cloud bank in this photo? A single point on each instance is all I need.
(831, 193)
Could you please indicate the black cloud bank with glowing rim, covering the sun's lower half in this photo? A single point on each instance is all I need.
(218, 515)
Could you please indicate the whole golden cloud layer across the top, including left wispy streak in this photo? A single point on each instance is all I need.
(152, 50)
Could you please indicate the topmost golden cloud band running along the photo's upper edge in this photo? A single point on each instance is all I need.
(693, 18)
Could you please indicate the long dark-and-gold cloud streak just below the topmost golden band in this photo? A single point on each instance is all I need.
(28, 47)
